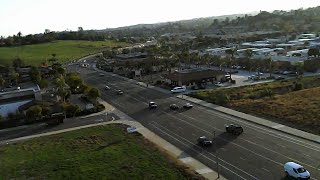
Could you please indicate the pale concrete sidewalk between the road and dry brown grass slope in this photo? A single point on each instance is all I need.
(256, 120)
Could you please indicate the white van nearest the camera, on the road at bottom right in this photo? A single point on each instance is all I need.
(296, 170)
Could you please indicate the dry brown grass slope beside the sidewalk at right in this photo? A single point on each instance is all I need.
(300, 109)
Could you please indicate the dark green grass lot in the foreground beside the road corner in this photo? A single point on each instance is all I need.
(103, 152)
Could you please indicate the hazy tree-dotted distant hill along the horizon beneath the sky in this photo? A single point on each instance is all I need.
(300, 20)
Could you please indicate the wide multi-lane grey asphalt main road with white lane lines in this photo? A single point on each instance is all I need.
(258, 153)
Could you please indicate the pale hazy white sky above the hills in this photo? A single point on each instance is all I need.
(34, 16)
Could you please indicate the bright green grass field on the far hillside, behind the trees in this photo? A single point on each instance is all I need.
(64, 50)
